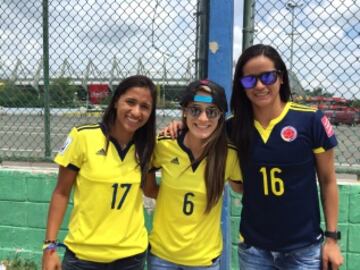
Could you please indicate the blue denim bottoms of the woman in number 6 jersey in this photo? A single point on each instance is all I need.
(156, 263)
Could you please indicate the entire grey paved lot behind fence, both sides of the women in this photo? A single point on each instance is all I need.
(22, 135)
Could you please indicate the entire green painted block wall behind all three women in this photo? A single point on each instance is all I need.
(24, 198)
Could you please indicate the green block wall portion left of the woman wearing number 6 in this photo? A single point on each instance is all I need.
(24, 201)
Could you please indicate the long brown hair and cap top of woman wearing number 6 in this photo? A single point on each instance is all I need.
(215, 150)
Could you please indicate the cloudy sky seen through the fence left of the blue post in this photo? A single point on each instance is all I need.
(133, 33)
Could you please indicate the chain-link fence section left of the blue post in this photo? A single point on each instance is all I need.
(81, 50)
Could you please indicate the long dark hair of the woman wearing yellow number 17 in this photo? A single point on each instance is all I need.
(144, 137)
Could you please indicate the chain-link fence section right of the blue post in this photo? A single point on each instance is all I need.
(320, 41)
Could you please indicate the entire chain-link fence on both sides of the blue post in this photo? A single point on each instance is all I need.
(89, 46)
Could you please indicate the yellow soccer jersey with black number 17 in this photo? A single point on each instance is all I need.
(107, 221)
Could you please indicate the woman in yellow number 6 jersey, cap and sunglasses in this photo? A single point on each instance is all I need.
(186, 230)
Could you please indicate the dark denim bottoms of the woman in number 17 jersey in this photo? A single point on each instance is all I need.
(71, 262)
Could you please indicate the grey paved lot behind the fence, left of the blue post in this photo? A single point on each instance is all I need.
(23, 135)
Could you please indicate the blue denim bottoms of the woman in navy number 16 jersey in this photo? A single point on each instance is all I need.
(305, 258)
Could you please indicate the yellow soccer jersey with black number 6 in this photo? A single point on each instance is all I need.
(182, 233)
